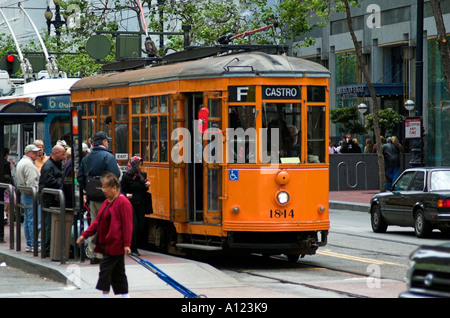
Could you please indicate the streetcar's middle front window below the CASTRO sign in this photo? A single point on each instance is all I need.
(286, 117)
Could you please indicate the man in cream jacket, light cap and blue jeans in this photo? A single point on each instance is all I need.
(28, 175)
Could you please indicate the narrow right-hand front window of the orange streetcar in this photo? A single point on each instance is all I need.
(316, 134)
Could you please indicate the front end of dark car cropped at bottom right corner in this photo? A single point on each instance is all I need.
(429, 273)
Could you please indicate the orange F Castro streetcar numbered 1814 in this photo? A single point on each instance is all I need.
(235, 147)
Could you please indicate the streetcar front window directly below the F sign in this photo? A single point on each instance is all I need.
(241, 134)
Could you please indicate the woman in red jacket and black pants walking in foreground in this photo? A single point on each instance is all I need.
(114, 226)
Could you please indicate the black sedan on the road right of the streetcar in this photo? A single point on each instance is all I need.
(420, 198)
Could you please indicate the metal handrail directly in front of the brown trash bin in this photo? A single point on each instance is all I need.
(62, 212)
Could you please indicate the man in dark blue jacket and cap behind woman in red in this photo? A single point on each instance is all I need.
(99, 161)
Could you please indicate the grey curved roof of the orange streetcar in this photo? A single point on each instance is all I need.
(253, 64)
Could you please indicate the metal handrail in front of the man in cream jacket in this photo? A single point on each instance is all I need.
(33, 192)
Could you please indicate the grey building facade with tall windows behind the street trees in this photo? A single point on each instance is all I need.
(387, 32)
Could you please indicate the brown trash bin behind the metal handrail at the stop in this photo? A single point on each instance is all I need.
(55, 240)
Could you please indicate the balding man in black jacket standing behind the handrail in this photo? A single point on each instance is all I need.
(51, 177)
